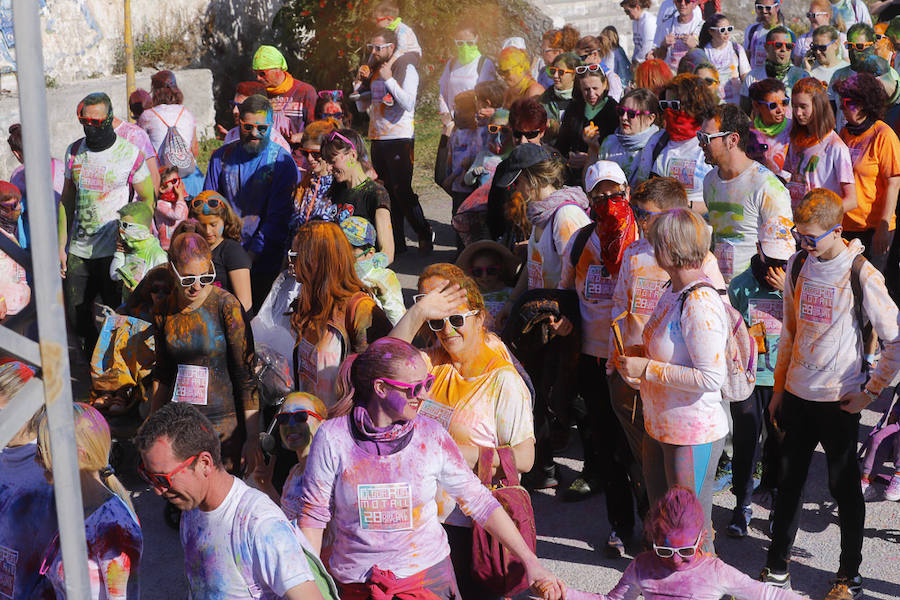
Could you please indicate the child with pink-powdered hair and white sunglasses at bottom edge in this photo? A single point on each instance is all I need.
(675, 528)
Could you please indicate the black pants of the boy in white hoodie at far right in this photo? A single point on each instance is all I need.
(806, 424)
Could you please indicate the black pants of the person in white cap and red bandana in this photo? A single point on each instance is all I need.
(607, 457)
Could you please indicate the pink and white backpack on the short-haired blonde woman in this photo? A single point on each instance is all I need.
(740, 351)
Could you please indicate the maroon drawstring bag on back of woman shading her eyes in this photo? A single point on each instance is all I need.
(493, 566)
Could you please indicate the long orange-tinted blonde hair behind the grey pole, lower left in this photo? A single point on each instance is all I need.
(93, 440)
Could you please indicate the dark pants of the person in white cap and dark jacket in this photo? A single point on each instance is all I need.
(748, 417)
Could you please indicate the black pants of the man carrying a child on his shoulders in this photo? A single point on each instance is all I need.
(393, 161)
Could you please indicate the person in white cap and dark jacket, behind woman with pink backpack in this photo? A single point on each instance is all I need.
(756, 293)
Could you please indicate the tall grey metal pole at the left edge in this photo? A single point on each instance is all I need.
(48, 298)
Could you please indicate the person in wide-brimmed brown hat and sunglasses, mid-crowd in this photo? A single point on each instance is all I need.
(493, 267)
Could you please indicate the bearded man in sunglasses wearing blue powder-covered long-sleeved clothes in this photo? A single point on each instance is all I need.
(258, 179)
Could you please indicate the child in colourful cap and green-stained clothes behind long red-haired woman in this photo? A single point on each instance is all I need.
(371, 267)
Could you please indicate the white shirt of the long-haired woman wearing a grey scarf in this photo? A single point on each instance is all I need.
(544, 255)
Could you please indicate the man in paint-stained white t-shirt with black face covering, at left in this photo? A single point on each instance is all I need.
(103, 171)
